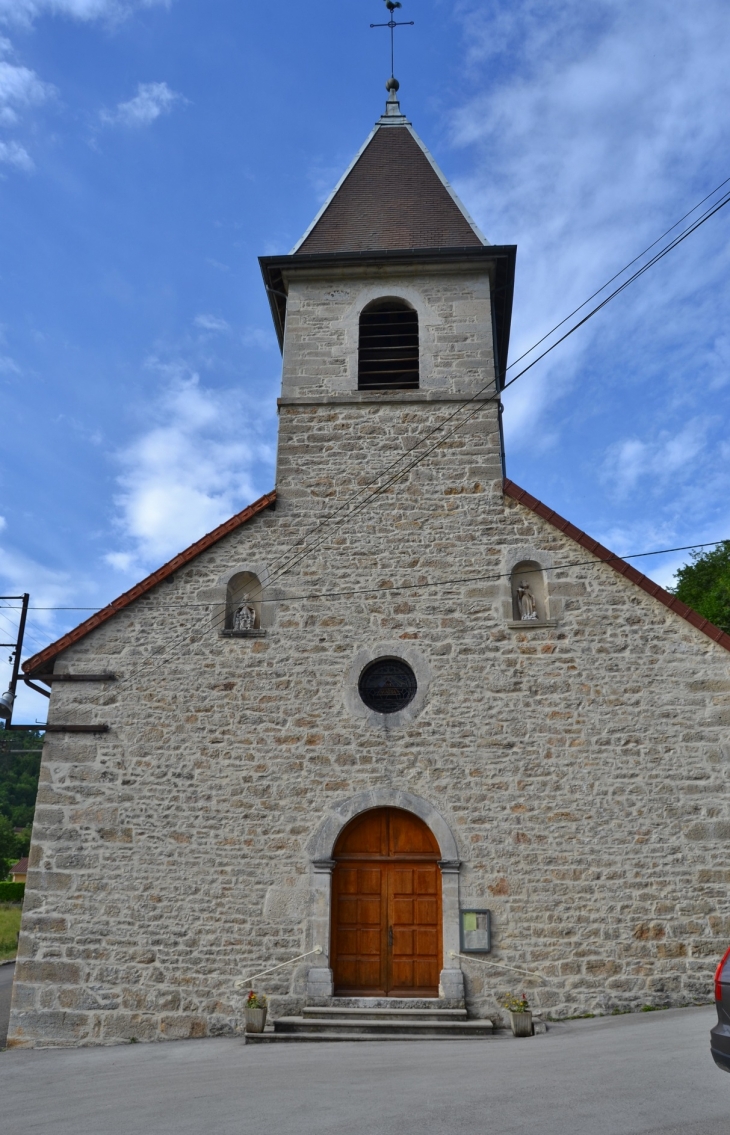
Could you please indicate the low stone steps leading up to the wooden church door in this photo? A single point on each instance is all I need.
(396, 1021)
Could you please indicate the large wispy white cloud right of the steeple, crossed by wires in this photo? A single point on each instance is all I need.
(598, 129)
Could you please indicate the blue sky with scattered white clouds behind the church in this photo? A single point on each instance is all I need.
(149, 154)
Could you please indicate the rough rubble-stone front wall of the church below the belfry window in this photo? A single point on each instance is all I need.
(582, 767)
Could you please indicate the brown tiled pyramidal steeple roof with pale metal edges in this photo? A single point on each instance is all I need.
(392, 197)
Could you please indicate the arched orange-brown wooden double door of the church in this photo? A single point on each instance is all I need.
(387, 926)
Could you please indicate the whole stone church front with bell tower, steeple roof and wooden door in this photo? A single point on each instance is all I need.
(398, 728)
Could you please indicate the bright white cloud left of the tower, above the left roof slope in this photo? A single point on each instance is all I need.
(188, 474)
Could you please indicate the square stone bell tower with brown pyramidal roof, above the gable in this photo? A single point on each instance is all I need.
(393, 315)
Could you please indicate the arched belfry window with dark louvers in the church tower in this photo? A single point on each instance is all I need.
(389, 347)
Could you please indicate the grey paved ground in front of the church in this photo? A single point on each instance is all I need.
(647, 1073)
